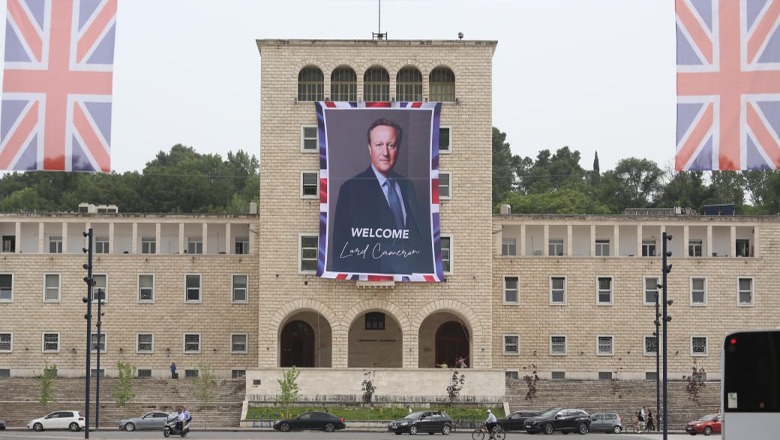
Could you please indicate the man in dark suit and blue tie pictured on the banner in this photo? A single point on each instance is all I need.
(379, 227)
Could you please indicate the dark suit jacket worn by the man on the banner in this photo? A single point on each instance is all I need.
(362, 204)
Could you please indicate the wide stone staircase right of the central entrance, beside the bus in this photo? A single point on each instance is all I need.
(622, 397)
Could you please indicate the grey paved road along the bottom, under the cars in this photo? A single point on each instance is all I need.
(249, 434)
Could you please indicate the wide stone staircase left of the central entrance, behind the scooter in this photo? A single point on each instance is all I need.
(19, 401)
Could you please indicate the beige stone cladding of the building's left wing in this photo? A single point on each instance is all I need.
(167, 317)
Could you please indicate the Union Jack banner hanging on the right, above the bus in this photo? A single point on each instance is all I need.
(728, 84)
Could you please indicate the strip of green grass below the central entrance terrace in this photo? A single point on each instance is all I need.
(456, 412)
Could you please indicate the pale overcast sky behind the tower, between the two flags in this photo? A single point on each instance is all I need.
(594, 75)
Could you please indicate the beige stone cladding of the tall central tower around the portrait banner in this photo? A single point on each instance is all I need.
(284, 215)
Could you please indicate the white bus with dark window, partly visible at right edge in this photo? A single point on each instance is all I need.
(750, 387)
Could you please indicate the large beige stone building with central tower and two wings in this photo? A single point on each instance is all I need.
(571, 295)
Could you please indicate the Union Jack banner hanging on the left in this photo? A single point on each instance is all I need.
(56, 104)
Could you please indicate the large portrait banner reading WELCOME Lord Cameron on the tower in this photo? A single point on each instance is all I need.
(379, 191)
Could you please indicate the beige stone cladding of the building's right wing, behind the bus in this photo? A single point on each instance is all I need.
(712, 294)
